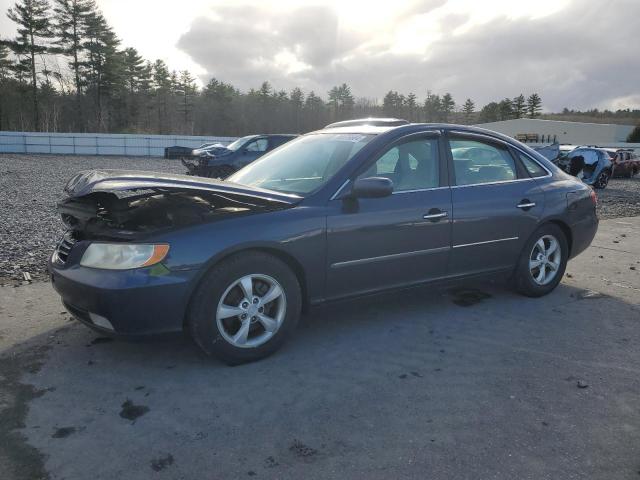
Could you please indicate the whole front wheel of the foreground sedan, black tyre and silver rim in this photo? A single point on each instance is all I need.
(245, 308)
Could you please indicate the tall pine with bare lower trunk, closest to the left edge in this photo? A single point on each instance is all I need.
(34, 29)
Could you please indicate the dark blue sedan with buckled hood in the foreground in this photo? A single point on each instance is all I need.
(335, 213)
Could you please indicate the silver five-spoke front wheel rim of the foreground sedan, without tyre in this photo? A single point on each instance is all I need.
(251, 311)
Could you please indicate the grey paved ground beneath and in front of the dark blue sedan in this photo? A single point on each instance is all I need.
(451, 383)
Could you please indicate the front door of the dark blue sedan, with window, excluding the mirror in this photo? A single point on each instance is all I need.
(397, 240)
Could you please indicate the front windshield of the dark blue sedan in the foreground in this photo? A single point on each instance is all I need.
(304, 164)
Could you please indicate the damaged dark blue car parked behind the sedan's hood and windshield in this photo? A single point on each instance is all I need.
(219, 161)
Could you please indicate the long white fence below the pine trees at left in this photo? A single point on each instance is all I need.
(99, 143)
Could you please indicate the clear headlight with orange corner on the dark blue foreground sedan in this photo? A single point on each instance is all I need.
(122, 256)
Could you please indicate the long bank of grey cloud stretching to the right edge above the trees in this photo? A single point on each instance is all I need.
(577, 57)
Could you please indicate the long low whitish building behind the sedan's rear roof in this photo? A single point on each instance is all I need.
(554, 131)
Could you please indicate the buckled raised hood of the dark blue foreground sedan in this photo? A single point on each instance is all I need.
(91, 181)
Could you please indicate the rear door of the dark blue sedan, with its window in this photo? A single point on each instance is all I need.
(496, 201)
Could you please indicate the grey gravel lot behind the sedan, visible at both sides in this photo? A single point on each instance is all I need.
(30, 185)
